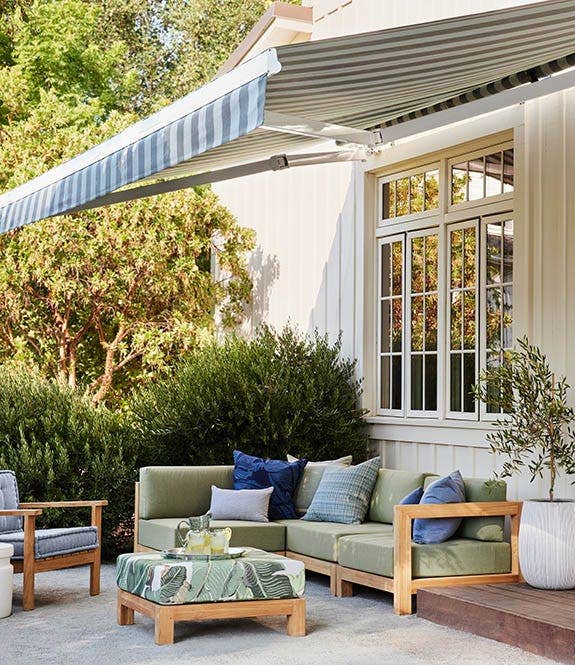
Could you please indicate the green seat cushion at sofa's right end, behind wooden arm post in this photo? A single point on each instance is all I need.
(373, 553)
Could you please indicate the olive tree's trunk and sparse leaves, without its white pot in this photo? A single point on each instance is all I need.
(536, 430)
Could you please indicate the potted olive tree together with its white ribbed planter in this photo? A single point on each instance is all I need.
(535, 431)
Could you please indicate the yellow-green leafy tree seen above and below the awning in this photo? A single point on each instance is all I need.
(109, 296)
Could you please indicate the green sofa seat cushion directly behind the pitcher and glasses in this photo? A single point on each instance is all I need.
(160, 534)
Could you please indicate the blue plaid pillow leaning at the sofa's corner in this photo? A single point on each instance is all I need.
(343, 494)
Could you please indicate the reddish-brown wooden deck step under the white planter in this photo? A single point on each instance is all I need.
(539, 621)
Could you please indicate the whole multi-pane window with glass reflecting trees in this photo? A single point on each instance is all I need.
(445, 284)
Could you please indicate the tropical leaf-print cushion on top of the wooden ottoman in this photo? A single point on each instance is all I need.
(256, 575)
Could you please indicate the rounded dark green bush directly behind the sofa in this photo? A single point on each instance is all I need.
(274, 394)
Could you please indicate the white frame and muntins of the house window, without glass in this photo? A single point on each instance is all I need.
(439, 221)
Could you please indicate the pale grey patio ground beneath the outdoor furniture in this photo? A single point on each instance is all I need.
(69, 627)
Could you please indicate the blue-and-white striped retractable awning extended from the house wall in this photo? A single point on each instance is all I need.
(358, 90)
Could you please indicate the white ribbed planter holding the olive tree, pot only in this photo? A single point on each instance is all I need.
(547, 544)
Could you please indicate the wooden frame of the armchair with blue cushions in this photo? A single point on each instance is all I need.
(29, 565)
